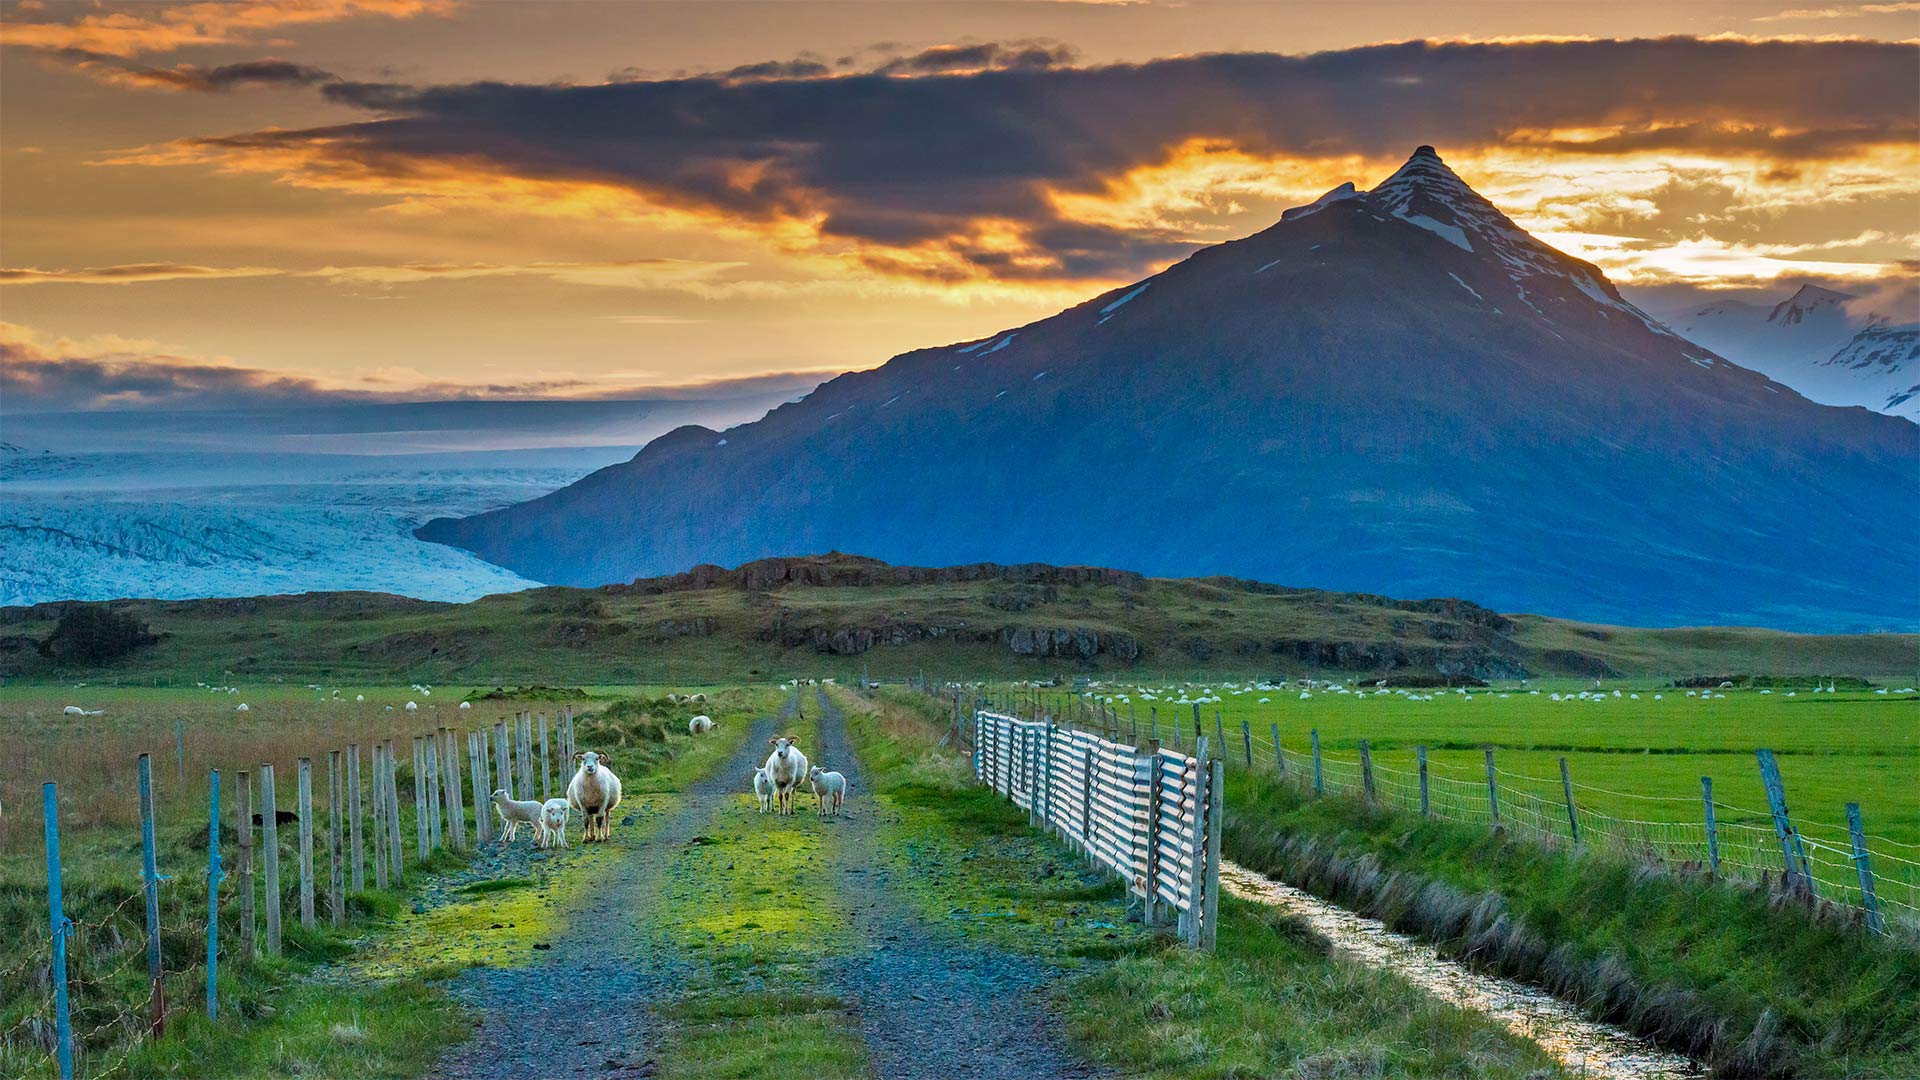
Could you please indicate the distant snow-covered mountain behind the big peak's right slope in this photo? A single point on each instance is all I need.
(1817, 343)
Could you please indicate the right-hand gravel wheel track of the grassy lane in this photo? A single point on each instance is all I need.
(928, 1006)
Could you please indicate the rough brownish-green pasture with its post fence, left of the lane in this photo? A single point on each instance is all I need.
(133, 910)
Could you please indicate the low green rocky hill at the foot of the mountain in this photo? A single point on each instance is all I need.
(828, 614)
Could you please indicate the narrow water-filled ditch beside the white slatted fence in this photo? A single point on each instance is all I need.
(1587, 1048)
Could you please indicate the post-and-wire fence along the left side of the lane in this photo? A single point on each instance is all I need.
(93, 981)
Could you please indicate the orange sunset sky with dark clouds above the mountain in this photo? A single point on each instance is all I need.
(297, 201)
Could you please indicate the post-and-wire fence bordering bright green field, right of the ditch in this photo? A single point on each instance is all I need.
(1873, 877)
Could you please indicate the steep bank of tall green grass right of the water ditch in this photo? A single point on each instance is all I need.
(1742, 979)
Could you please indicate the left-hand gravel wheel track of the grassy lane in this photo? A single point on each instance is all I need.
(588, 1008)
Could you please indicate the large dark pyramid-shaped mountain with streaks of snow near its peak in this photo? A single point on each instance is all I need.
(1397, 393)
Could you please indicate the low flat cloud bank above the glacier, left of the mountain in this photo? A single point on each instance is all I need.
(53, 378)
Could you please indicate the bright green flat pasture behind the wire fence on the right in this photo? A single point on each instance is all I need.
(1635, 764)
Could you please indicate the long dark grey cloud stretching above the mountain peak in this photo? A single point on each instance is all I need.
(921, 162)
